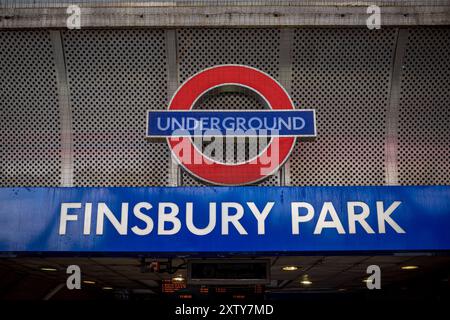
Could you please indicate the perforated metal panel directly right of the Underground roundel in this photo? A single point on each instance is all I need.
(345, 75)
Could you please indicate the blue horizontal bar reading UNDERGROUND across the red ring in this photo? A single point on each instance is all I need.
(283, 123)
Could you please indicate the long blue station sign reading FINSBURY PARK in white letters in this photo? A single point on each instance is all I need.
(225, 219)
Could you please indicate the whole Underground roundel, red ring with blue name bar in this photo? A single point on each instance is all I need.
(181, 123)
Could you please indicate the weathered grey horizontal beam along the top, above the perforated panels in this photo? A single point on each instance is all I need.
(170, 16)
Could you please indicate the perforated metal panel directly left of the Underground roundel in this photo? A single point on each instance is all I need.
(114, 77)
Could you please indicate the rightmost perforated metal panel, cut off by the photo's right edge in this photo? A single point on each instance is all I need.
(424, 115)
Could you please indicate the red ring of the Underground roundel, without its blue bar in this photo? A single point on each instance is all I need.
(189, 92)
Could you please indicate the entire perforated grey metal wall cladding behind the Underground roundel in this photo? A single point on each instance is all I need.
(115, 76)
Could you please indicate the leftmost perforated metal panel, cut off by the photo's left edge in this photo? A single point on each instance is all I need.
(30, 130)
